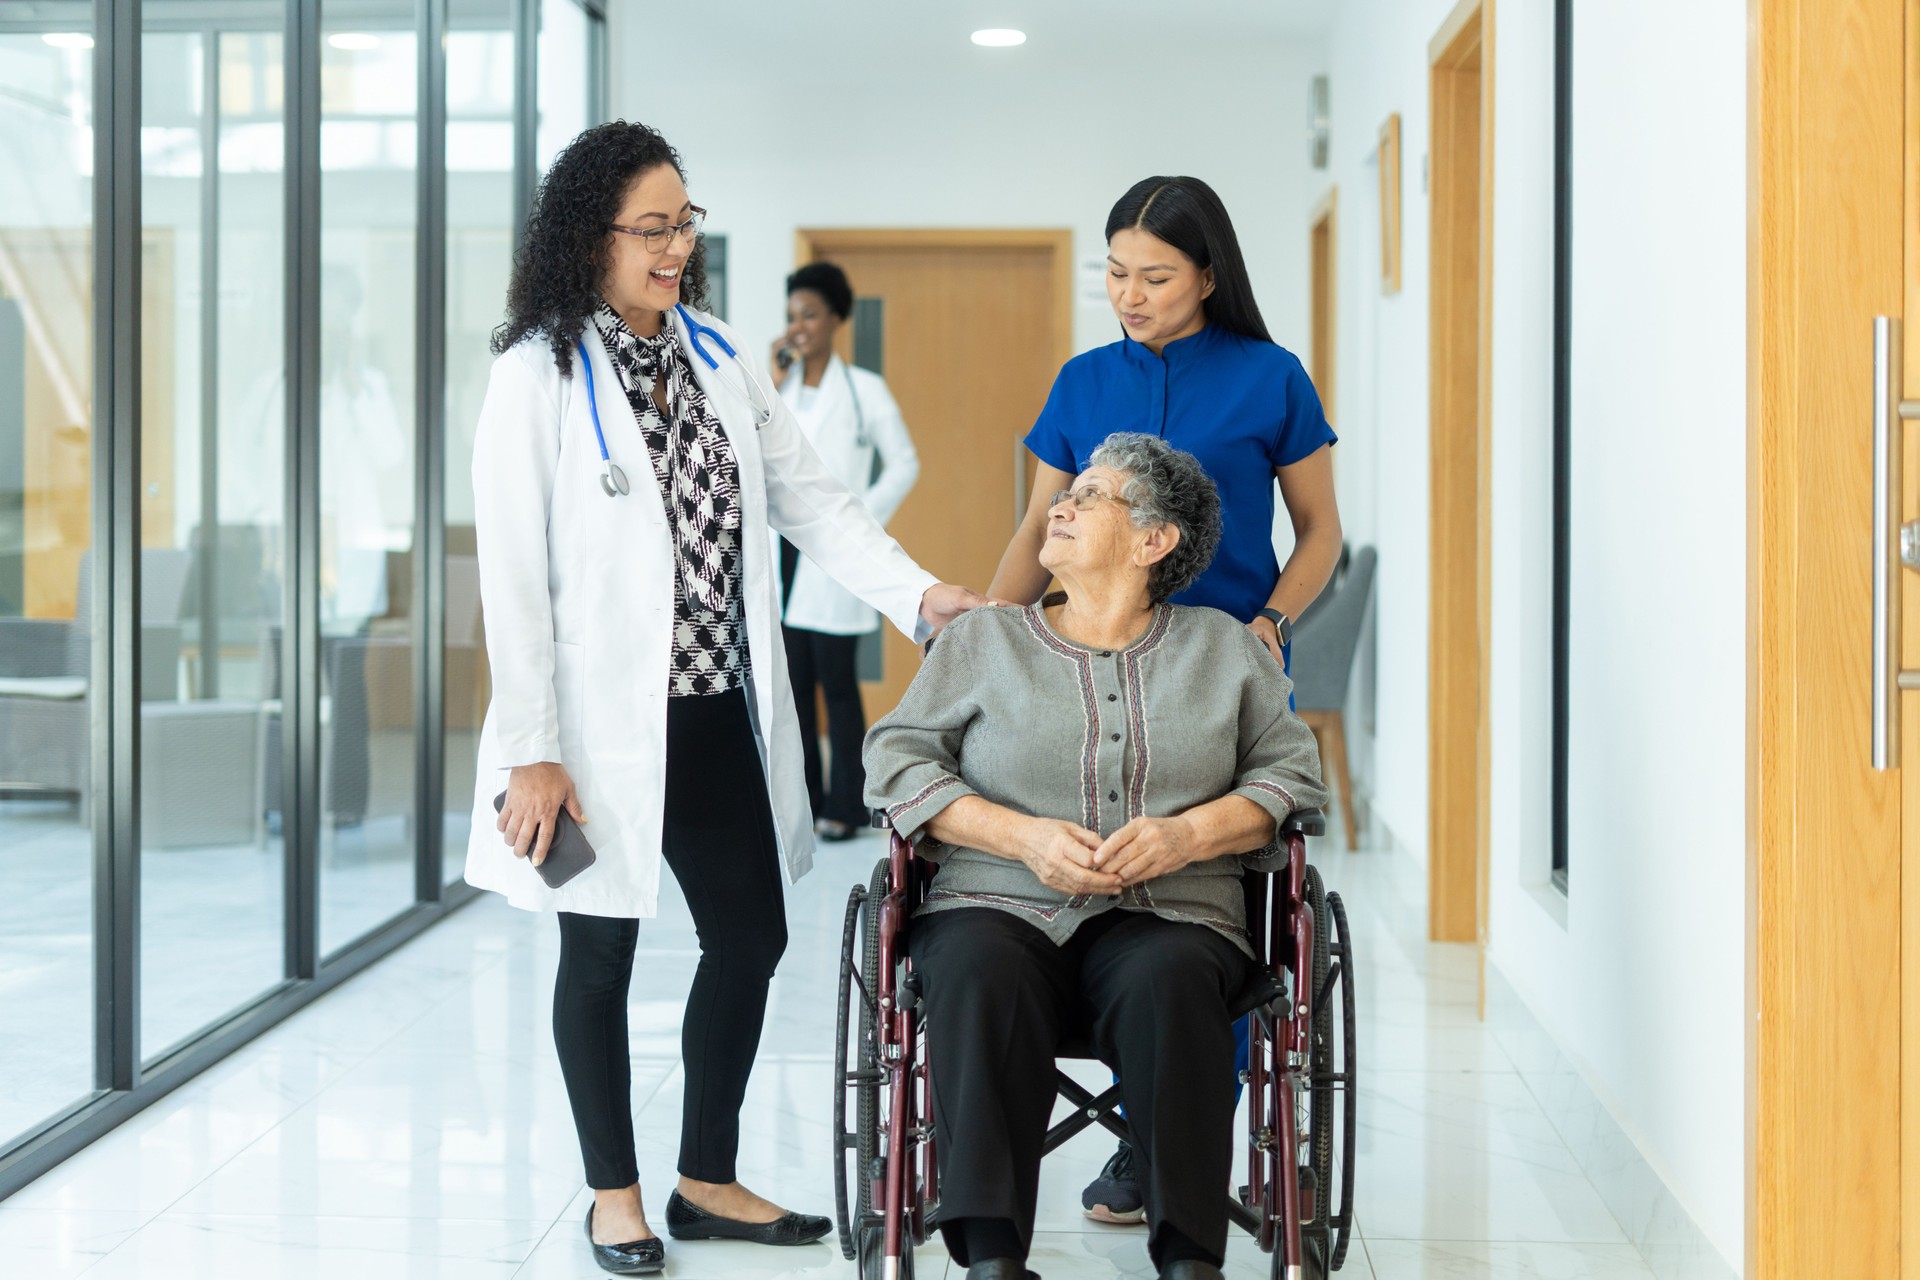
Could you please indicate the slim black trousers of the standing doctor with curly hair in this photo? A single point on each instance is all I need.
(719, 843)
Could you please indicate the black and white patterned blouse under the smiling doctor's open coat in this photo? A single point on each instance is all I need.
(700, 486)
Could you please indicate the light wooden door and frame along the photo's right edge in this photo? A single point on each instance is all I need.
(1831, 122)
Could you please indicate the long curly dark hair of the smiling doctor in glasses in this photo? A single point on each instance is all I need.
(567, 247)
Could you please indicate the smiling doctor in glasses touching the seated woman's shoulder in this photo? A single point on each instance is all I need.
(627, 471)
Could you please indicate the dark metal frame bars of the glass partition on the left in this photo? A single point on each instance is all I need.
(122, 1083)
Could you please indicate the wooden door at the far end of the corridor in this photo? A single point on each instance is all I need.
(976, 325)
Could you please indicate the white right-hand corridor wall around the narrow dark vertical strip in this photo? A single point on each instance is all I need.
(1639, 974)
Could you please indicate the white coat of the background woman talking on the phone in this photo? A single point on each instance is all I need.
(848, 435)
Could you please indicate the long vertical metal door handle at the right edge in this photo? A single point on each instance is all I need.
(1894, 544)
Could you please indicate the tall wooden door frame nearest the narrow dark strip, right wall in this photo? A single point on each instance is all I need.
(1460, 462)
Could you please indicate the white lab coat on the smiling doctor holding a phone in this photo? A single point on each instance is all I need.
(579, 600)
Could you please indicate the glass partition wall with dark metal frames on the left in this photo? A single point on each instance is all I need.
(251, 260)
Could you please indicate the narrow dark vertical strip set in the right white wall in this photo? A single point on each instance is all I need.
(1562, 427)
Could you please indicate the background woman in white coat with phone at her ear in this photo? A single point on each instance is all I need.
(852, 421)
